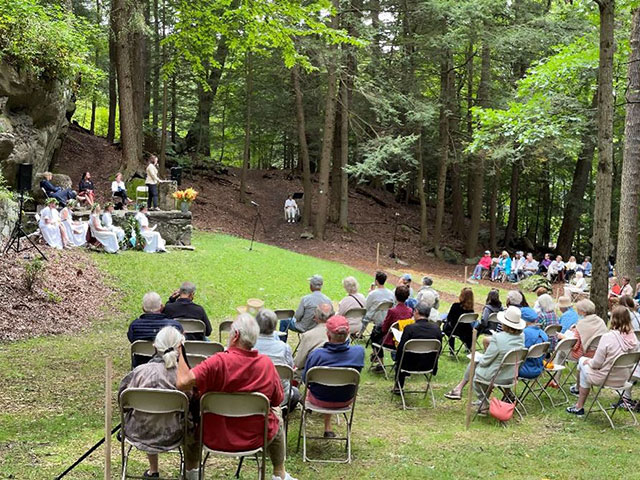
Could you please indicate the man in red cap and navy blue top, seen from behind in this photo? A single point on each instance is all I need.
(335, 353)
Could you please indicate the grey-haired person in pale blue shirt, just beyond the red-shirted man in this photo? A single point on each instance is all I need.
(269, 344)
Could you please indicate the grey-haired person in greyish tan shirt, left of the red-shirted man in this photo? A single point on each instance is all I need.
(156, 434)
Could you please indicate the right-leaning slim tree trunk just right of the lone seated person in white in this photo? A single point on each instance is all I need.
(327, 139)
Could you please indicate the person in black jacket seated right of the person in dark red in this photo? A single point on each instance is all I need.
(425, 329)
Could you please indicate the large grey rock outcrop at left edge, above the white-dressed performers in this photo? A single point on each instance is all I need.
(34, 118)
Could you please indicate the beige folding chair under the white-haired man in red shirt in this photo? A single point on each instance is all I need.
(236, 405)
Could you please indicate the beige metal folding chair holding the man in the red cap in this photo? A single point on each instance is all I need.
(331, 377)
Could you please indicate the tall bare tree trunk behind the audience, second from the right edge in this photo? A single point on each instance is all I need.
(602, 207)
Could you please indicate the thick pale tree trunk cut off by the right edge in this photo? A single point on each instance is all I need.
(627, 258)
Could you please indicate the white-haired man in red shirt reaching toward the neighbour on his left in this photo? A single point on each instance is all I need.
(240, 369)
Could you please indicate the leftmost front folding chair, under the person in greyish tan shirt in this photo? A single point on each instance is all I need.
(152, 401)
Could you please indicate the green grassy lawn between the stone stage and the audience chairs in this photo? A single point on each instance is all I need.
(51, 389)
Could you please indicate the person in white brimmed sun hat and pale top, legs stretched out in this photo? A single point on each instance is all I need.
(488, 363)
